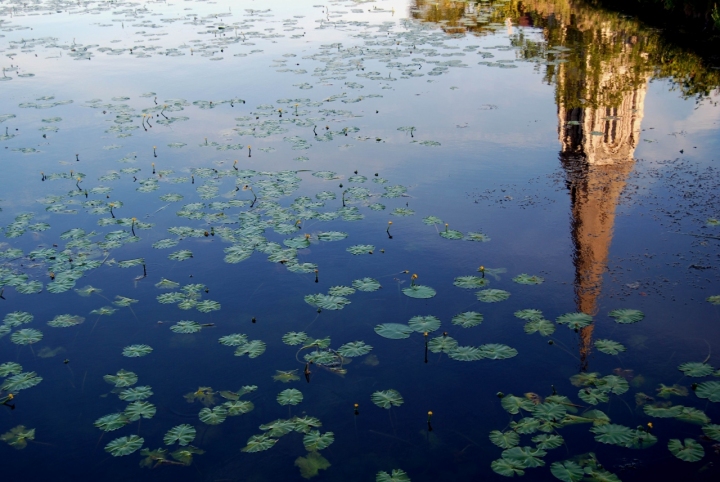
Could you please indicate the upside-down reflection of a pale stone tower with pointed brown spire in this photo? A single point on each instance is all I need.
(598, 143)
